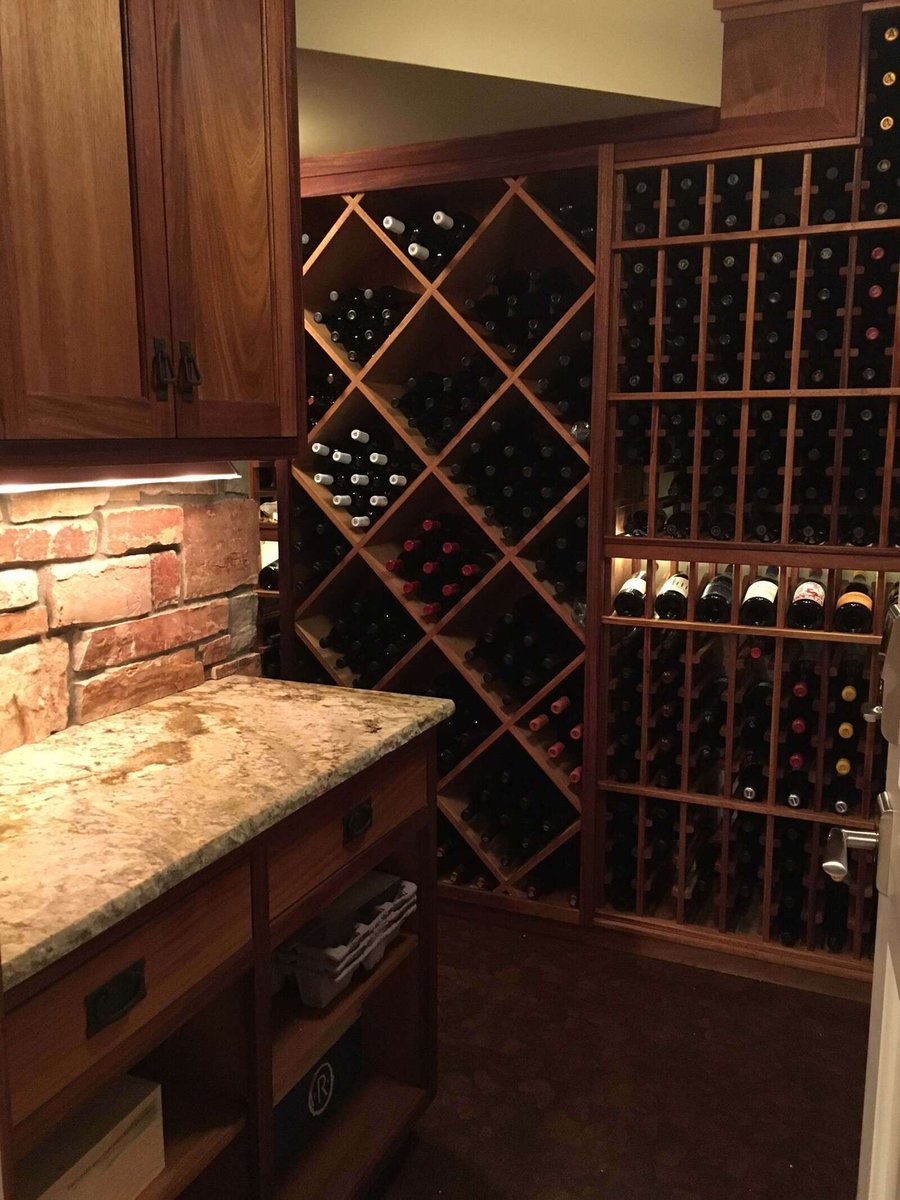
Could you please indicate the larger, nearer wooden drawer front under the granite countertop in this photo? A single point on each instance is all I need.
(62, 1033)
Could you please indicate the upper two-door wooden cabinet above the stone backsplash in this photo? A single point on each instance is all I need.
(147, 197)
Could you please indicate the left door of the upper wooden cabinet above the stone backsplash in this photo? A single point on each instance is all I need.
(83, 284)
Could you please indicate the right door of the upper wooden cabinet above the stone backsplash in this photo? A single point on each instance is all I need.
(226, 129)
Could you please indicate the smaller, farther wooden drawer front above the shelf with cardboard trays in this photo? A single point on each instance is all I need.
(344, 823)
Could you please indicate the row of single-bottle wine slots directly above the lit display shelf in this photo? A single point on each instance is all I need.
(722, 471)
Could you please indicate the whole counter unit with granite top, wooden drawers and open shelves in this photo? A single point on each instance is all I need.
(152, 863)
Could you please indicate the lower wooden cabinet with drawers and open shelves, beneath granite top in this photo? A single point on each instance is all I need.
(182, 993)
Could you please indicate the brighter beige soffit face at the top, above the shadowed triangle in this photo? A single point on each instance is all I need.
(670, 50)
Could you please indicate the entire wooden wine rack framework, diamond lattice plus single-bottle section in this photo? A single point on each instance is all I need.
(350, 249)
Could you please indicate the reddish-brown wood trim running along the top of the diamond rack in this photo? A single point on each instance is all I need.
(491, 155)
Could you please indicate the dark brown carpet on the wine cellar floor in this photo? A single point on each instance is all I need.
(577, 1073)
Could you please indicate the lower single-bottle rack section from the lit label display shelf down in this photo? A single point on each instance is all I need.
(741, 689)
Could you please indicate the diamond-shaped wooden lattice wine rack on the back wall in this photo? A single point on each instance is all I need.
(515, 230)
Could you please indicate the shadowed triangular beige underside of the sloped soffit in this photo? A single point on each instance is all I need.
(350, 104)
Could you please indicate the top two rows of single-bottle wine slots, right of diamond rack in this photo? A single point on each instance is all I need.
(795, 313)
